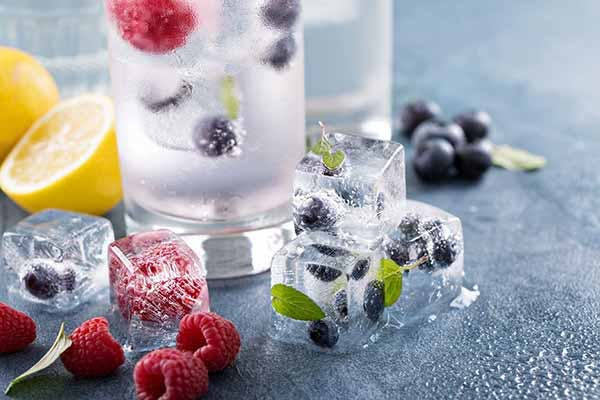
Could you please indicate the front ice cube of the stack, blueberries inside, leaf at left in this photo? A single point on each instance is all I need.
(338, 277)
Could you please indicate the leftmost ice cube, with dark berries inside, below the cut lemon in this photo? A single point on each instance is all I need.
(57, 259)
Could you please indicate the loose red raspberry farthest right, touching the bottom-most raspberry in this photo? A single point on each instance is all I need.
(211, 337)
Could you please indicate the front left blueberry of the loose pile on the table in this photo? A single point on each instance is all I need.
(433, 159)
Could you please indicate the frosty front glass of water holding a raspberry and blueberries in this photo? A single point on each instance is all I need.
(209, 98)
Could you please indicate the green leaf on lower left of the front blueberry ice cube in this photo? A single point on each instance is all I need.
(294, 304)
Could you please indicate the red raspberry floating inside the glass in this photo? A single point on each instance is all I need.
(154, 26)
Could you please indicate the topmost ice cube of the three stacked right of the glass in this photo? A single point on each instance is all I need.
(363, 198)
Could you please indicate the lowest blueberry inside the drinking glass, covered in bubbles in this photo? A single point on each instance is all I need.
(217, 136)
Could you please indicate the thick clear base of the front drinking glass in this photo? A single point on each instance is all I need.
(231, 249)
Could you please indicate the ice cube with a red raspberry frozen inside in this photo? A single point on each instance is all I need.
(156, 279)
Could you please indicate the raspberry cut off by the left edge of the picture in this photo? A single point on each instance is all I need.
(17, 330)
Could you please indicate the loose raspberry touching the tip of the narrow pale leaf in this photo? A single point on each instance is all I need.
(94, 351)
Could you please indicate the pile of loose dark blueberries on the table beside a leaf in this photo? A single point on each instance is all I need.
(447, 148)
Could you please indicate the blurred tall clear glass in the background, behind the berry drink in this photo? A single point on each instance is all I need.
(348, 46)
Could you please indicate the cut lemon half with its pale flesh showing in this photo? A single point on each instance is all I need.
(67, 160)
